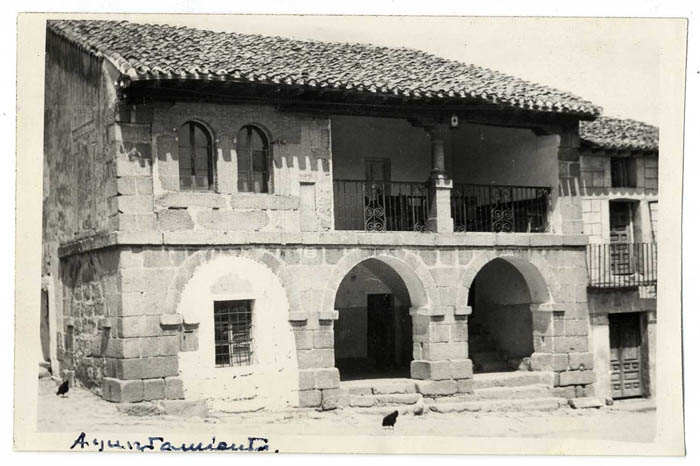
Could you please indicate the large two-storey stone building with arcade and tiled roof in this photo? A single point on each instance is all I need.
(261, 221)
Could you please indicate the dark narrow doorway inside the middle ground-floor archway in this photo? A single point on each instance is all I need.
(380, 330)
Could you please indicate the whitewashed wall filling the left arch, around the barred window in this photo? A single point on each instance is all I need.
(271, 378)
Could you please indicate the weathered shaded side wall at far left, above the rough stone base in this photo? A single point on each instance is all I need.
(79, 170)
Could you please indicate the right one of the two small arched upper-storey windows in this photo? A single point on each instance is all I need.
(253, 161)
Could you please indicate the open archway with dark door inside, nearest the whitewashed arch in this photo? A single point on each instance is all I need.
(373, 333)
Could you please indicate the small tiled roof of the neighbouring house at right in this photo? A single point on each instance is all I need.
(618, 134)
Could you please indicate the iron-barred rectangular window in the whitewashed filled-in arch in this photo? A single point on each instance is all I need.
(232, 339)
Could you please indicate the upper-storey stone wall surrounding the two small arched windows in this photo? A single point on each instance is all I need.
(149, 199)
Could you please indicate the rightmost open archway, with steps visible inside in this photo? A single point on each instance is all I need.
(500, 325)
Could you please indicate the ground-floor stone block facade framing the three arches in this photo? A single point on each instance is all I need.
(141, 356)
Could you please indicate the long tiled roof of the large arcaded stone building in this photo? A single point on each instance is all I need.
(151, 52)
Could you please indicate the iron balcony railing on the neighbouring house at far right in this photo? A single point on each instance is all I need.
(621, 265)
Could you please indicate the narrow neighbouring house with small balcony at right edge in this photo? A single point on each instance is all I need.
(619, 196)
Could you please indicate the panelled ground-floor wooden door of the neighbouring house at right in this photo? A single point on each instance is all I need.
(625, 355)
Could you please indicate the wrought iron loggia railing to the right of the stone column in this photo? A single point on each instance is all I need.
(500, 208)
